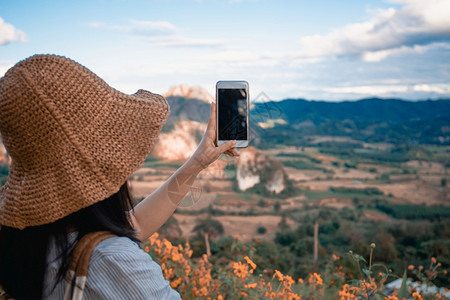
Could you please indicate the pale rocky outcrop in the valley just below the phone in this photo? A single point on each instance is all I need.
(254, 168)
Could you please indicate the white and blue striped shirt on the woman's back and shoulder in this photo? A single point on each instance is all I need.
(118, 269)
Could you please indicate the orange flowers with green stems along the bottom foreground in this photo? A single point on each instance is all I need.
(199, 279)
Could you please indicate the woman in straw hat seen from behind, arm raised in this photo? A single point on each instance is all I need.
(73, 142)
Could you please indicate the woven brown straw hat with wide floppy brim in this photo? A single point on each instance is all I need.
(73, 140)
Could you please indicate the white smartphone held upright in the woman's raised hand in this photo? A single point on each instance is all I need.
(232, 100)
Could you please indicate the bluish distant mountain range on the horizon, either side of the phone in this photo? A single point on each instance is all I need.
(291, 121)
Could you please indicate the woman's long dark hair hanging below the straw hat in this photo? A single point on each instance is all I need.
(23, 253)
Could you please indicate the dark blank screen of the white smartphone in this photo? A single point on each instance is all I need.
(232, 114)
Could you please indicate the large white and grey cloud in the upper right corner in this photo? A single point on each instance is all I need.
(411, 29)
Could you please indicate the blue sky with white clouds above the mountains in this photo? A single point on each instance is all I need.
(318, 50)
